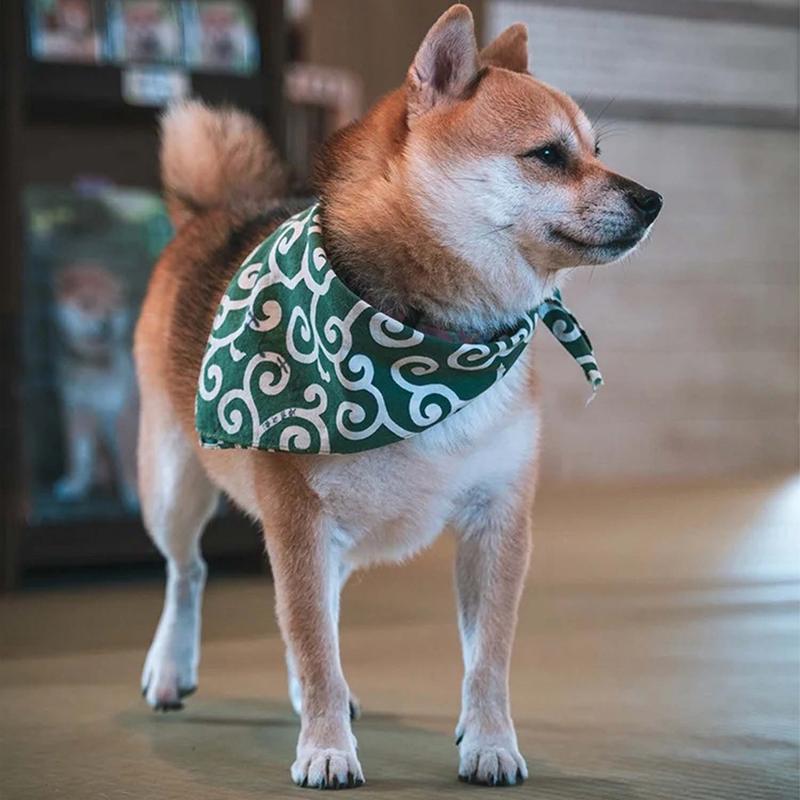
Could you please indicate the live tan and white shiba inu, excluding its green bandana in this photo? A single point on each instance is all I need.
(461, 200)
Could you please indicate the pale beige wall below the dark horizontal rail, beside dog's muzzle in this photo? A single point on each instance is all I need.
(697, 334)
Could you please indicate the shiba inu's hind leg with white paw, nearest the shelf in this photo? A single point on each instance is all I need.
(177, 500)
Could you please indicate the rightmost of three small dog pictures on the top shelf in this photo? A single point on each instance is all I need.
(221, 36)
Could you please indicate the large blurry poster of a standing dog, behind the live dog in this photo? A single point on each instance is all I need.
(89, 255)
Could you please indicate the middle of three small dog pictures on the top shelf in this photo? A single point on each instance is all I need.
(145, 31)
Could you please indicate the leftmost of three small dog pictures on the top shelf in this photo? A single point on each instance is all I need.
(64, 30)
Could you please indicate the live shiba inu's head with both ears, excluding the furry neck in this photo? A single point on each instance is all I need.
(496, 152)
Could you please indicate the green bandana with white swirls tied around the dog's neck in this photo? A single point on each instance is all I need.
(296, 362)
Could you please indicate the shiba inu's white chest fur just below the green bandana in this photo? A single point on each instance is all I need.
(388, 503)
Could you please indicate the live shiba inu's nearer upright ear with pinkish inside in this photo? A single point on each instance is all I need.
(445, 64)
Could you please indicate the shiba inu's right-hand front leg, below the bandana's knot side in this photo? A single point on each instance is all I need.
(491, 562)
